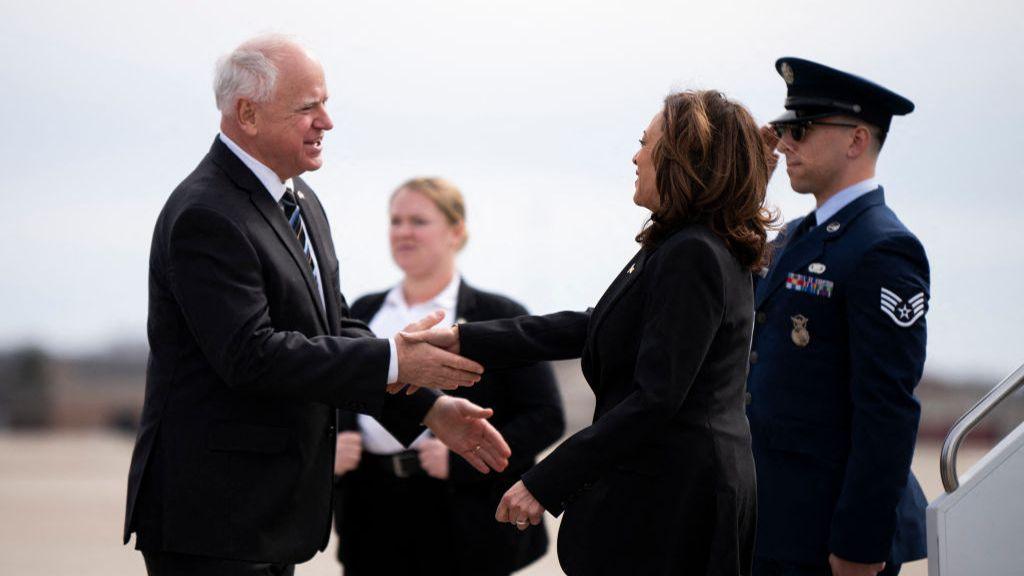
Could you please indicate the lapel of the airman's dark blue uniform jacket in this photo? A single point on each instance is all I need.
(800, 253)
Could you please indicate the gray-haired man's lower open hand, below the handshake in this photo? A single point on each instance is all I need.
(462, 426)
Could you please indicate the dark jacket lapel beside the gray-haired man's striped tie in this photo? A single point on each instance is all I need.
(262, 199)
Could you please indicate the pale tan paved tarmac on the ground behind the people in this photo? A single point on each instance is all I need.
(63, 498)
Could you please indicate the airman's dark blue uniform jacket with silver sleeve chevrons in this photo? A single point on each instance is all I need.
(839, 347)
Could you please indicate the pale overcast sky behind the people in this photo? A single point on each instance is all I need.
(533, 108)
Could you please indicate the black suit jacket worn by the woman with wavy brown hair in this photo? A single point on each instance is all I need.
(663, 482)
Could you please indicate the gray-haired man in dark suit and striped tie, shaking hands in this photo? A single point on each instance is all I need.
(252, 348)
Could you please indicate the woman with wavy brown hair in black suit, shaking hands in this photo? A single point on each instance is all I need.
(663, 481)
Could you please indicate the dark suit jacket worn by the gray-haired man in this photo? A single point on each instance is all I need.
(235, 456)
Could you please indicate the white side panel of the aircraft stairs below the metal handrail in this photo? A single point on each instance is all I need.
(978, 530)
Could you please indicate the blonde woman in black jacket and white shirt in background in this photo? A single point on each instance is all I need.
(386, 491)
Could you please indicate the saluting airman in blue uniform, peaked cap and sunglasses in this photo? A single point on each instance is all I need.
(839, 346)
